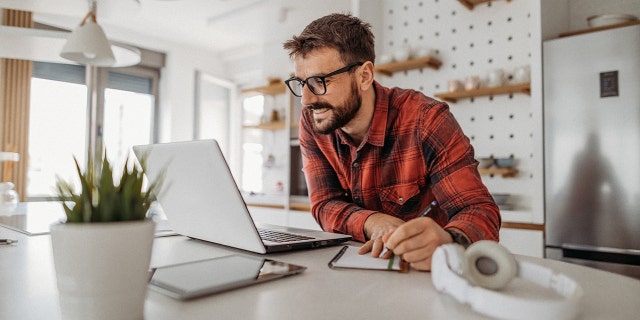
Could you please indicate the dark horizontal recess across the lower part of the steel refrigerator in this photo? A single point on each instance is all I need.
(605, 254)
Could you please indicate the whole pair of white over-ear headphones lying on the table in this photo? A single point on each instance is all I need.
(464, 274)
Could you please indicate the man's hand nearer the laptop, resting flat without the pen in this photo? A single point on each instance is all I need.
(375, 227)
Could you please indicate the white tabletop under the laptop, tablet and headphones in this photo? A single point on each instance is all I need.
(28, 288)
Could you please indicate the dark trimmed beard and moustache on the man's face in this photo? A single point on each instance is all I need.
(341, 116)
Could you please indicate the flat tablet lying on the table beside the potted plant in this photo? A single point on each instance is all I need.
(196, 279)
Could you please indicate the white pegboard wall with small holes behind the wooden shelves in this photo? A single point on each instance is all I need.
(475, 42)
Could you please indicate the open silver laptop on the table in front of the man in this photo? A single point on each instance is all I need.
(202, 201)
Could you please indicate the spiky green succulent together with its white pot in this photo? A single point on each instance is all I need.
(102, 251)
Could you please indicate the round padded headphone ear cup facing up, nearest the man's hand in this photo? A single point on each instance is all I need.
(490, 265)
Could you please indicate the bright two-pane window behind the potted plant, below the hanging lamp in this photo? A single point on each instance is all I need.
(60, 126)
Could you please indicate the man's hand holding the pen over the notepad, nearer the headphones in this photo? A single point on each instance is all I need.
(416, 240)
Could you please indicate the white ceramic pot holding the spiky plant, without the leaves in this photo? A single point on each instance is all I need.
(102, 268)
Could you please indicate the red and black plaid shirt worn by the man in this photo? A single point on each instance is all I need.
(415, 152)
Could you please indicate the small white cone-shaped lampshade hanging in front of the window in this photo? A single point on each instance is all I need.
(88, 44)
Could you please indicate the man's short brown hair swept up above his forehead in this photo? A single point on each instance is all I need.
(348, 34)
